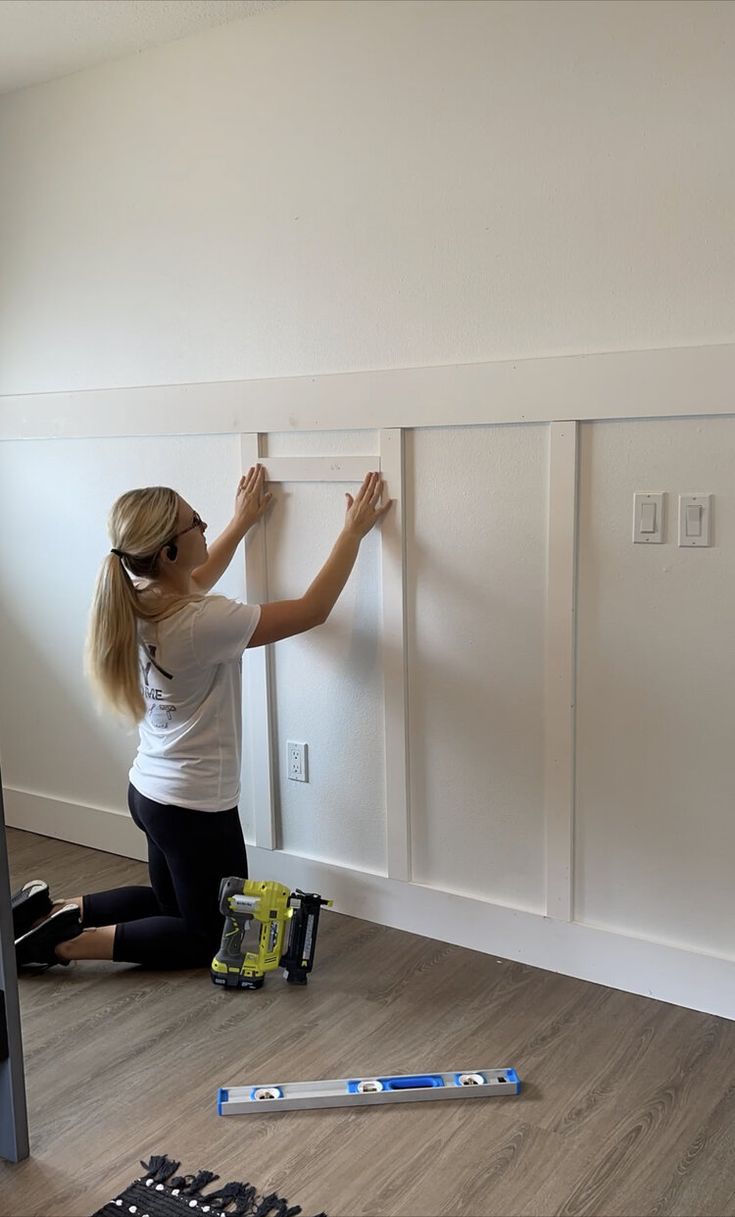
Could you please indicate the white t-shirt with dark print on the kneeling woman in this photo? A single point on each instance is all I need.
(190, 745)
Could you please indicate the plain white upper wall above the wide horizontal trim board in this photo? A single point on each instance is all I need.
(368, 186)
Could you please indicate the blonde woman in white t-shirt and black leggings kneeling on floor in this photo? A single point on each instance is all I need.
(169, 657)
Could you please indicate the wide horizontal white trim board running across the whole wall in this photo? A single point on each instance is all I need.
(616, 385)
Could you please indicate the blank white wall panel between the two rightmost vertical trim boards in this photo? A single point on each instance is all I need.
(476, 575)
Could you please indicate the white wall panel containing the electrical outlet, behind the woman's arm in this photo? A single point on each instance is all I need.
(328, 685)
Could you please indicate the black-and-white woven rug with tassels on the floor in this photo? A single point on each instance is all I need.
(162, 1193)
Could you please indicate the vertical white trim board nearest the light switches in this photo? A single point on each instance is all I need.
(559, 661)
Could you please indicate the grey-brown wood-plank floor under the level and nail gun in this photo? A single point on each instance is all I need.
(629, 1104)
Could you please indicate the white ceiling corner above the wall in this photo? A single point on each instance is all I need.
(46, 40)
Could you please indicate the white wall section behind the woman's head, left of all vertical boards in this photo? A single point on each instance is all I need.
(55, 498)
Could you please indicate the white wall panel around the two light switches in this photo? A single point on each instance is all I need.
(657, 689)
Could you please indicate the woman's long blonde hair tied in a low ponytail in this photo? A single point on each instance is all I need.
(141, 525)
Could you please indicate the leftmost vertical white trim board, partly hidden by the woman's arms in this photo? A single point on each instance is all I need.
(259, 745)
